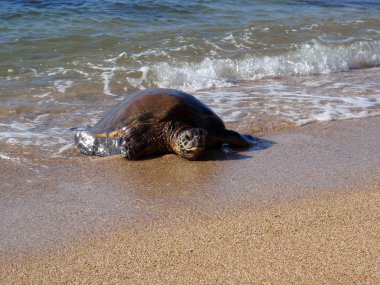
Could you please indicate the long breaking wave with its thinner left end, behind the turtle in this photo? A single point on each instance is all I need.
(165, 68)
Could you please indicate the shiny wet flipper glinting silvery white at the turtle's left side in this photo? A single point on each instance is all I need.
(101, 146)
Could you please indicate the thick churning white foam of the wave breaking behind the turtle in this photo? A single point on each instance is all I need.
(307, 59)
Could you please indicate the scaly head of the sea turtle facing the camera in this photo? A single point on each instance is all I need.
(190, 143)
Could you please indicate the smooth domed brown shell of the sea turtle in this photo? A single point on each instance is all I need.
(154, 106)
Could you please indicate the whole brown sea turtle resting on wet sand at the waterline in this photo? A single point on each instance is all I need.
(158, 121)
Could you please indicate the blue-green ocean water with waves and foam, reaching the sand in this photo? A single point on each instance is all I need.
(258, 64)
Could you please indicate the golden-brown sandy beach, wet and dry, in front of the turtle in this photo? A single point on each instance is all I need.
(301, 207)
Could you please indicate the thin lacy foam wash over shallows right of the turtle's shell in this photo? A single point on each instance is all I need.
(299, 102)
